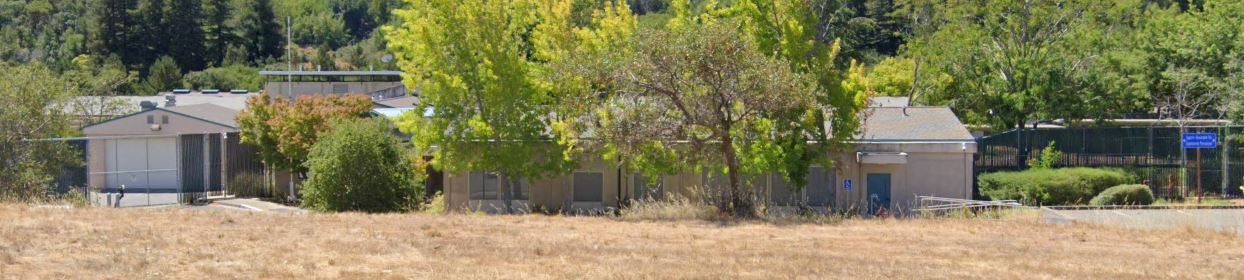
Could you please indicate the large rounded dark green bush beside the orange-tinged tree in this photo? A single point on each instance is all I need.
(360, 166)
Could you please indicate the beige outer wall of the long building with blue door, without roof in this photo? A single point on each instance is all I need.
(940, 170)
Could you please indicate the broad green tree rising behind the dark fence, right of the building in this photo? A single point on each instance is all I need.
(1014, 62)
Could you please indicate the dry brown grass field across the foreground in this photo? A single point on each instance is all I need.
(42, 243)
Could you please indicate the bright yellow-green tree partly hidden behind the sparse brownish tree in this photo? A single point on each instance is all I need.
(805, 35)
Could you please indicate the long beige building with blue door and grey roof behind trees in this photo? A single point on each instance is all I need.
(901, 154)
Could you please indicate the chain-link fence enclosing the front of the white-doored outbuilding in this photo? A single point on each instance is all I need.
(157, 170)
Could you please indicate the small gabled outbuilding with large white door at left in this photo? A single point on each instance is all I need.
(170, 150)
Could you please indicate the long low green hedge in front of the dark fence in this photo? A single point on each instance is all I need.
(1052, 187)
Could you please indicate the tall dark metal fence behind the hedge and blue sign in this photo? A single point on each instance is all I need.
(1151, 154)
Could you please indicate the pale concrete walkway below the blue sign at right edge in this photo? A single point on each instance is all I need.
(1153, 218)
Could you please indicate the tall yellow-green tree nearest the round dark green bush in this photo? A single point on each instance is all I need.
(473, 62)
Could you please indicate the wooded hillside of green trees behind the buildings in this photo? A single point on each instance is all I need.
(996, 63)
